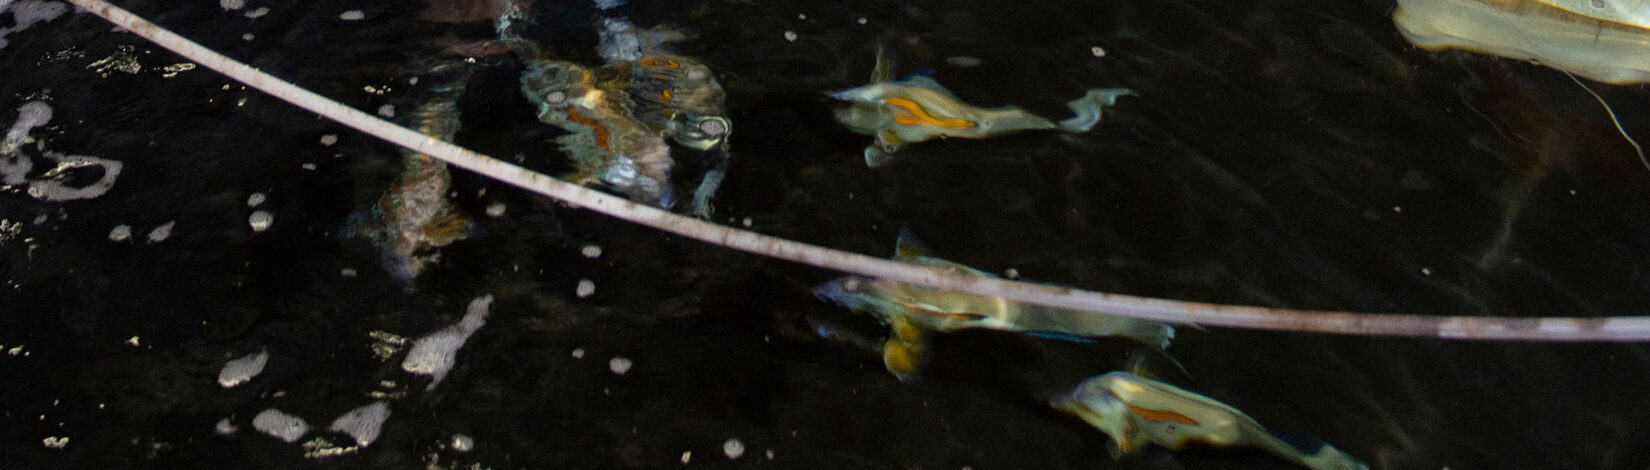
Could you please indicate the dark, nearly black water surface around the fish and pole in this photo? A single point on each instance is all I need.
(1280, 154)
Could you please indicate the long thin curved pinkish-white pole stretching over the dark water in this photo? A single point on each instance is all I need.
(1545, 329)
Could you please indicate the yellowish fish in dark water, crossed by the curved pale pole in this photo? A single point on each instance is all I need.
(912, 311)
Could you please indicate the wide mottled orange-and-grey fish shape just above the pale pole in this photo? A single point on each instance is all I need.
(620, 116)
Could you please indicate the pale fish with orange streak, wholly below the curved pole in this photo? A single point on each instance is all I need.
(1138, 411)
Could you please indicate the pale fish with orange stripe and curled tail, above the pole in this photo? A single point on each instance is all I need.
(918, 110)
